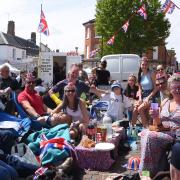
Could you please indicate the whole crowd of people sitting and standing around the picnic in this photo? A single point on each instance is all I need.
(67, 102)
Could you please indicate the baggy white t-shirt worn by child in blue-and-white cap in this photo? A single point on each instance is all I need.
(116, 106)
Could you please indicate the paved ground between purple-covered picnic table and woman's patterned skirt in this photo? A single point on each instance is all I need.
(117, 169)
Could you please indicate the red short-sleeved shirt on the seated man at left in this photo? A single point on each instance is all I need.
(34, 99)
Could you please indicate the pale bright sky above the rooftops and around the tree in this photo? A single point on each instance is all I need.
(65, 19)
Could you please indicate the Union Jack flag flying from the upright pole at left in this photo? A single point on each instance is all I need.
(43, 26)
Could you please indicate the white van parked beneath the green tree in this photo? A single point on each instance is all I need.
(122, 65)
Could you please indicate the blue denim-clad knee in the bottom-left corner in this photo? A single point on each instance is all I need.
(7, 172)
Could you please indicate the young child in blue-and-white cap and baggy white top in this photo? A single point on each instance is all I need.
(118, 102)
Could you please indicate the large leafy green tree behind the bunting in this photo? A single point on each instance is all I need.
(141, 34)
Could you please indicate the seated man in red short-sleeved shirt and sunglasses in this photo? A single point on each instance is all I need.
(32, 102)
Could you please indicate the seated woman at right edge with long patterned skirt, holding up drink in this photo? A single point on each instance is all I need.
(154, 144)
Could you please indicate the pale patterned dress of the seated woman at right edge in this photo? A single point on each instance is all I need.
(154, 144)
